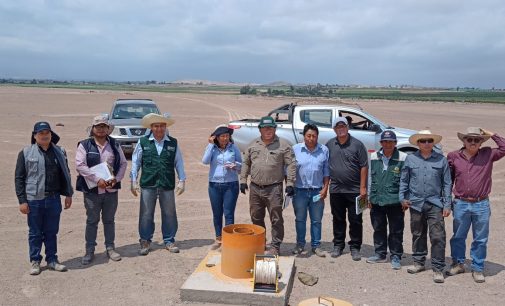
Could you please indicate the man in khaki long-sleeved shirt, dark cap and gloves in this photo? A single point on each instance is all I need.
(265, 160)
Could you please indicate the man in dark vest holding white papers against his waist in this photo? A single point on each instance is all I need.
(100, 194)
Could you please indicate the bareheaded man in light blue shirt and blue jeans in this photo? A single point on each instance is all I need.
(311, 188)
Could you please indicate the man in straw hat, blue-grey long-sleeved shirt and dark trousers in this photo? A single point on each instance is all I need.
(425, 188)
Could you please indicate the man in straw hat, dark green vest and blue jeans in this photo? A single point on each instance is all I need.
(159, 157)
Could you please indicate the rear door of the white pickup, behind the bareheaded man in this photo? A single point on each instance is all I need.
(322, 118)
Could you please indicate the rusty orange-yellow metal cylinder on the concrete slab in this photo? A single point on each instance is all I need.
(239, 244)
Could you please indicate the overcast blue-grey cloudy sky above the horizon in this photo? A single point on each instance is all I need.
(369, 42)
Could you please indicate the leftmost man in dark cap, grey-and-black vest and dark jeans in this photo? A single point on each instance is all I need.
(41, 176)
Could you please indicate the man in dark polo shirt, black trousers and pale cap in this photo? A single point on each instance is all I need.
(348, 163)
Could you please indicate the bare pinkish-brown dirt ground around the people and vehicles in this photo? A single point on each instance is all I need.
(156, 278)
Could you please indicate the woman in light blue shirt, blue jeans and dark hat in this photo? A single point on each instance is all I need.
(225, 164)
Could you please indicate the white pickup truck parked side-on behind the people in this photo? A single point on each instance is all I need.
(291, 119)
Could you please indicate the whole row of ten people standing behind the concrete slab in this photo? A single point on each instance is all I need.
(391, 180)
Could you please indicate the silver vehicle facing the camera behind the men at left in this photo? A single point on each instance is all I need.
(126, 116)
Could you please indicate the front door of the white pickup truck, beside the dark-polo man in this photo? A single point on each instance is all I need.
(361, 127)
